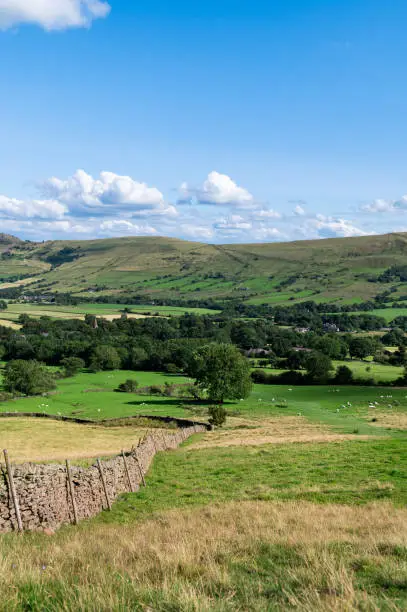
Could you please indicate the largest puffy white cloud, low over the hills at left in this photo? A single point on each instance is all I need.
(108, 194)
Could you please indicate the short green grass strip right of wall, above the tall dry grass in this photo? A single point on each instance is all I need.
(354, 472)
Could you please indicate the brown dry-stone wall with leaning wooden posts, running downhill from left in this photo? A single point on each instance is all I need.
(43, 490)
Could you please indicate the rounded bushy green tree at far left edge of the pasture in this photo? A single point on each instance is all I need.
(27, 377)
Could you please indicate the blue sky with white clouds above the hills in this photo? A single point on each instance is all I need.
(222, 121)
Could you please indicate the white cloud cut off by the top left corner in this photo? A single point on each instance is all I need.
(52, 14)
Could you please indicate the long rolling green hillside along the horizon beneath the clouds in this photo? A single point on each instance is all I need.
(339, 270)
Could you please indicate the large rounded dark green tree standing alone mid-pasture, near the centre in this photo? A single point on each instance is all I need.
(222, 371)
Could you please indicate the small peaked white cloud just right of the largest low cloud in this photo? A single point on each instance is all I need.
(220, 190)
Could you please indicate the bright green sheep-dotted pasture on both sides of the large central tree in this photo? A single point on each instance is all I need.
(89, 395)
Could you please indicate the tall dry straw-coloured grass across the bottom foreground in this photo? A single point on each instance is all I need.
(239, 556)
